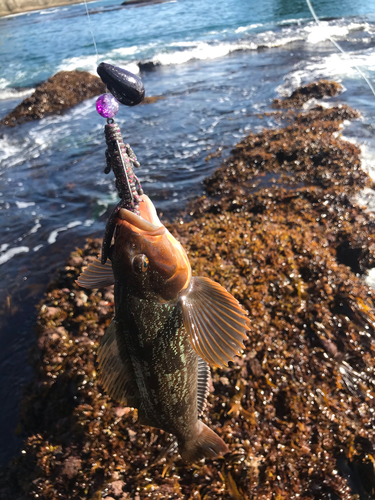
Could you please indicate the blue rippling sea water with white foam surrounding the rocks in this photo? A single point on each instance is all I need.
(218, 65)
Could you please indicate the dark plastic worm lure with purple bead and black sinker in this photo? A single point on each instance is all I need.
(120, 157)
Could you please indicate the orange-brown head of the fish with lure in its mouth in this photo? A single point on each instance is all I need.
(146, 257)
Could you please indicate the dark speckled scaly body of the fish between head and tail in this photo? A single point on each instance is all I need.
(162, 359)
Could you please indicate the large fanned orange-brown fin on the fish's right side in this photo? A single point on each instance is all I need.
(214, 320)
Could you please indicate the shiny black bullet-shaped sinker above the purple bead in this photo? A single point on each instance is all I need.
(126, 87)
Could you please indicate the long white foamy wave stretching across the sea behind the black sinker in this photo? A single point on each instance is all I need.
(243, 38)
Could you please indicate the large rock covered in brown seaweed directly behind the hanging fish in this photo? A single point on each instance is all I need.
(278, 228)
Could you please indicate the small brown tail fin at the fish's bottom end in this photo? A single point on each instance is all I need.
(204, 444)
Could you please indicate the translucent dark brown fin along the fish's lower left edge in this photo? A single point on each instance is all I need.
(116, 373)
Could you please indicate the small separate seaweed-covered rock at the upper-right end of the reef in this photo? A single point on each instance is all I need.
(317, 90)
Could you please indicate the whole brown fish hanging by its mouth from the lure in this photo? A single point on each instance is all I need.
(168, 327)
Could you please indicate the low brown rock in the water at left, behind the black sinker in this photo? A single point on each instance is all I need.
(59, 93)
